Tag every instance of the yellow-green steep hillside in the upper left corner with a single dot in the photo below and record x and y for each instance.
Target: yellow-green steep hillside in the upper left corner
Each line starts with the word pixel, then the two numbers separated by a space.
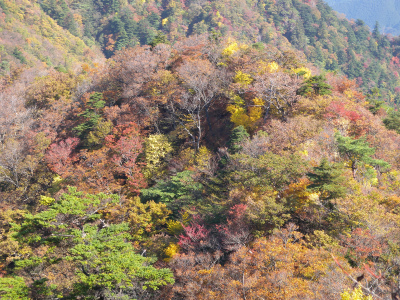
pixel 30 38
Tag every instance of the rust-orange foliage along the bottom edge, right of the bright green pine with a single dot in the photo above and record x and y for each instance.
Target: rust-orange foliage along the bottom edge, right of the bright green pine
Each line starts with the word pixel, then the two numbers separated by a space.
pixel 281 267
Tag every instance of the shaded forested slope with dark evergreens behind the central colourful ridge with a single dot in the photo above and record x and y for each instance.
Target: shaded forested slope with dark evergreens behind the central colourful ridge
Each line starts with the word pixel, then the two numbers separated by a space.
pixel 330 42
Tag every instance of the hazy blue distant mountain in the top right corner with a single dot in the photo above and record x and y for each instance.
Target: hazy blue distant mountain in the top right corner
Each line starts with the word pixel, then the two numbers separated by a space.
pixel 386 12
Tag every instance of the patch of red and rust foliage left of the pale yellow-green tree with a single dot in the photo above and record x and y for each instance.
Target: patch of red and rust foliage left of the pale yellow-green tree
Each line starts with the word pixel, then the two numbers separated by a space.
pixel 110 168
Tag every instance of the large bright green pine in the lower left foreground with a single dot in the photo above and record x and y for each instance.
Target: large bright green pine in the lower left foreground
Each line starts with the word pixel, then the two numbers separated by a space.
pixel 102 262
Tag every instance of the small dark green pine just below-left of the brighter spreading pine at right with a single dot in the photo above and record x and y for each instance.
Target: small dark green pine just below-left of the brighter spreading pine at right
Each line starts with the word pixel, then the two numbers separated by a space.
pixel 328 179
